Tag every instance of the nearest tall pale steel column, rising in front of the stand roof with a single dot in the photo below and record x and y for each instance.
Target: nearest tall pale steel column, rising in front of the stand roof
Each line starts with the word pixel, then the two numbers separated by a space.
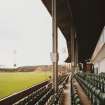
pixel 54 47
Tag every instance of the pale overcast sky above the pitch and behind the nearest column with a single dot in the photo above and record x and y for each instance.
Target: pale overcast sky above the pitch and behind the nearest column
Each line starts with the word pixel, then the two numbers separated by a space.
pixel 25 26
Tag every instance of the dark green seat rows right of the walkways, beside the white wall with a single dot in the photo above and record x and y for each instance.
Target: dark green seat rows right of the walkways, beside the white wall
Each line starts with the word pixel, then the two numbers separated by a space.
pixel 88 83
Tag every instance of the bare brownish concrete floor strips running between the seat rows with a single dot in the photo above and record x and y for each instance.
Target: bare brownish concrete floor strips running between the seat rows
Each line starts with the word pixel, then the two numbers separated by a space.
pixel 67 93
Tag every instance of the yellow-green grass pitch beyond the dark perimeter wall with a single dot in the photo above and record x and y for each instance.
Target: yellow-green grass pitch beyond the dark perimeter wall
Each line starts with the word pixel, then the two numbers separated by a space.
pixel 11 83
